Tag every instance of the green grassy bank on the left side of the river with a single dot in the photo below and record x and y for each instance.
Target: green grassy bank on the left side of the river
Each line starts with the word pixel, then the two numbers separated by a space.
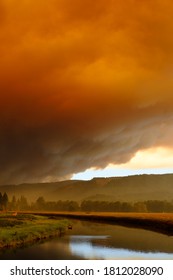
pixel 27 228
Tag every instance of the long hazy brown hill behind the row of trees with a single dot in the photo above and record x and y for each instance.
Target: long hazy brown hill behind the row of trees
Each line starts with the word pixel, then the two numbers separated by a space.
pixel 130 188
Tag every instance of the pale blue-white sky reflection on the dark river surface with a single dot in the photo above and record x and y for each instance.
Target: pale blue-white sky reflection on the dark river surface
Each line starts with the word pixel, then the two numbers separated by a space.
pixel 82 246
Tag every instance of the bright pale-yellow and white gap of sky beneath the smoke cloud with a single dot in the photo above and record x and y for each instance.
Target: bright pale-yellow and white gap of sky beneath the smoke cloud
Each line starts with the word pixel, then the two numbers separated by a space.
pixel 150 161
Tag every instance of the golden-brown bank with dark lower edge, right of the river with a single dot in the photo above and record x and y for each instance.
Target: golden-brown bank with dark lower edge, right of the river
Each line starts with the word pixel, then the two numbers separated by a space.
pixel 158 222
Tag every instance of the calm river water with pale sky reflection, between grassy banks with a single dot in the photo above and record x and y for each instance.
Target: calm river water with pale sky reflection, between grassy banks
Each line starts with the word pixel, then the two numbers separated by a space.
pixel 89 240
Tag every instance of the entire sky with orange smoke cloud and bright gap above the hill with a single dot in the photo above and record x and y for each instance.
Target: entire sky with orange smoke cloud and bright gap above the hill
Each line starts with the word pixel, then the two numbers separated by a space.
pixel 85 85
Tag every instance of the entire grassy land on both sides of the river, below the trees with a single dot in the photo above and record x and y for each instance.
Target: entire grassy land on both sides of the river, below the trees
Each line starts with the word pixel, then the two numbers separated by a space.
pixel 20 229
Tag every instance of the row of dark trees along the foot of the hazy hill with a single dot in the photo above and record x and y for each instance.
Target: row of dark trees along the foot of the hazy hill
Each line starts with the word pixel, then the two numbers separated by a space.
pixel 21 204
